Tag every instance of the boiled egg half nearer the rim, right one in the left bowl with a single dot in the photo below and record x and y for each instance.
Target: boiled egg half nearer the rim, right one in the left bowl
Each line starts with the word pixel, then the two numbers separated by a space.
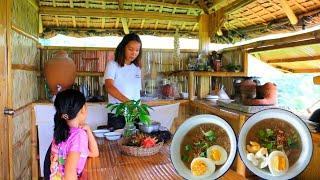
pixel 217 154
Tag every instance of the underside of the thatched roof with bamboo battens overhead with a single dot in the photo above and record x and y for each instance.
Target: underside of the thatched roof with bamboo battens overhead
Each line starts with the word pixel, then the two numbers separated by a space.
pixel 233 20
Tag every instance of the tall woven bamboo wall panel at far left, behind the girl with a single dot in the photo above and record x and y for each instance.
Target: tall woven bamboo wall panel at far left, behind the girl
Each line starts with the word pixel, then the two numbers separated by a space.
pixel 24 59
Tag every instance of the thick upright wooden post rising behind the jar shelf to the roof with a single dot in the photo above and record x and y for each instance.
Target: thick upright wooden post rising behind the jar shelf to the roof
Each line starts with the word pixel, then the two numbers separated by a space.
pixel 204 40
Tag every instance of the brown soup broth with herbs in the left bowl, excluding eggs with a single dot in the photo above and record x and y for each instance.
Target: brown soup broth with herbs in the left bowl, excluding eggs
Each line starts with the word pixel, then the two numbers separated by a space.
pixel 195 143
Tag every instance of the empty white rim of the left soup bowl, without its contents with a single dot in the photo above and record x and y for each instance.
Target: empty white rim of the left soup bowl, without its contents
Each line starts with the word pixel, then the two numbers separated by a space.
pixel 185 128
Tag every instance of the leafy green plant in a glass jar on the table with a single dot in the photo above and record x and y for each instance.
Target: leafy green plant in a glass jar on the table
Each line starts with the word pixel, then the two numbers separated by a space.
pixel 131 110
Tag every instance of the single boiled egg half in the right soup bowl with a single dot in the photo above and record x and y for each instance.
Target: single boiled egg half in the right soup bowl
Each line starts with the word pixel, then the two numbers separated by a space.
pixel 278 163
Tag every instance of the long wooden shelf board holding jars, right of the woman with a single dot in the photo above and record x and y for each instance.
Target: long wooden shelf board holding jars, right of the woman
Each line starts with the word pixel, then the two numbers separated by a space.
pixel 205 73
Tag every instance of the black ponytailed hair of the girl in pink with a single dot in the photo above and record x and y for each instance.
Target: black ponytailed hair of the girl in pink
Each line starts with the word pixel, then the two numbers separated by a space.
pixel 67 103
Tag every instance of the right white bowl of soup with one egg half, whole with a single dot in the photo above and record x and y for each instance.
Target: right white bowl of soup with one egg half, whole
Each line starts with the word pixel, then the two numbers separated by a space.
pixel 270 144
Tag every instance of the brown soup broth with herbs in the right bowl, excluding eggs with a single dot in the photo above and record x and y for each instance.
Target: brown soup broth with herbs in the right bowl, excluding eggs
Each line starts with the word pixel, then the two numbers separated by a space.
pixel 276 134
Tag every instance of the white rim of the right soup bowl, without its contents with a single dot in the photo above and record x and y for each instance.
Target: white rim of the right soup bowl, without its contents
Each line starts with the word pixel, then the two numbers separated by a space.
pixel 296 122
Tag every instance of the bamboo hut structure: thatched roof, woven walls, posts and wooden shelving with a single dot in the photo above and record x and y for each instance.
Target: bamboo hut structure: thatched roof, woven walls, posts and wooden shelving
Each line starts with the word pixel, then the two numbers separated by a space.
pixel 22 57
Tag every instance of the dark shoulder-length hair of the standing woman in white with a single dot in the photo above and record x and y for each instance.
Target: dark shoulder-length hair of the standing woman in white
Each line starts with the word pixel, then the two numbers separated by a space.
pixel 120 50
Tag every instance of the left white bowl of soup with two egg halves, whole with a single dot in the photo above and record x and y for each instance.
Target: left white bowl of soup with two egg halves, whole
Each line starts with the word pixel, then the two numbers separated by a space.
pixel 203 147
